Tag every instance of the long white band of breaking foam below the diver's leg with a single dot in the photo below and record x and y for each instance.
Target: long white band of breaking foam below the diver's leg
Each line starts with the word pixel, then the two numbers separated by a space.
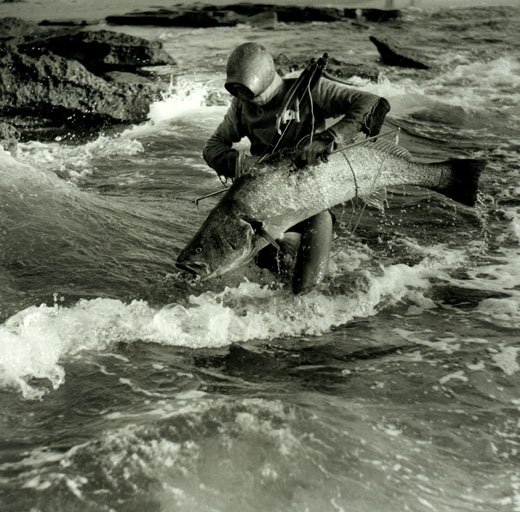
pixel 35 342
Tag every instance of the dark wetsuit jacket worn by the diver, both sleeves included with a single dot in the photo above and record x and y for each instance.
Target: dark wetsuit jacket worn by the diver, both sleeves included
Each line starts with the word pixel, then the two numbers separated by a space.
pixel 360 111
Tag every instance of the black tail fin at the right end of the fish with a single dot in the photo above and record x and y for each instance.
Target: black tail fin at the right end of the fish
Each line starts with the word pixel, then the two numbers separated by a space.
pixel 465 177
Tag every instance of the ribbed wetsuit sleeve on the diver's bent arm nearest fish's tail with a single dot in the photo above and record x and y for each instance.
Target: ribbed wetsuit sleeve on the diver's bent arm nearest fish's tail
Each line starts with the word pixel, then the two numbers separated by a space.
pixel 362 111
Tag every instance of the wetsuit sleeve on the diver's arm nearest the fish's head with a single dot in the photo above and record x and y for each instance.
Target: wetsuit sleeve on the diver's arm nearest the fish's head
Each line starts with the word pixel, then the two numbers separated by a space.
pixel 218 152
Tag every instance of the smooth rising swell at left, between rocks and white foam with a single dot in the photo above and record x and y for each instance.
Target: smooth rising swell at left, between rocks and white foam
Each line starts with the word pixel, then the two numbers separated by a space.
pixel 56 236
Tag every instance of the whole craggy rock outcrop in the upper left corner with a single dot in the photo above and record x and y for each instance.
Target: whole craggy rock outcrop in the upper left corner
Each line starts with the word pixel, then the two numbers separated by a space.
pixel 72 83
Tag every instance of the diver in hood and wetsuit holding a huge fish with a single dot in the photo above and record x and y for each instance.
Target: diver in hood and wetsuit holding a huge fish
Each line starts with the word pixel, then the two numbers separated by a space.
pixel 259 94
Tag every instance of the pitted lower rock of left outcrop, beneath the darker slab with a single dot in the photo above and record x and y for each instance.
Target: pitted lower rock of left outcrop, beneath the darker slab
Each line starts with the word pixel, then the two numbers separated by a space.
pixel 44 94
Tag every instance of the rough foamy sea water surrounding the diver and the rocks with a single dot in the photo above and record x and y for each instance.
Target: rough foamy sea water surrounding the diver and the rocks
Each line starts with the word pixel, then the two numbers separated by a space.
pixel 394 386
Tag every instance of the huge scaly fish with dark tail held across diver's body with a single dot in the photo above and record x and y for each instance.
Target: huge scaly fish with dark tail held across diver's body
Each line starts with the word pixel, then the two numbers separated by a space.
pixel 261 206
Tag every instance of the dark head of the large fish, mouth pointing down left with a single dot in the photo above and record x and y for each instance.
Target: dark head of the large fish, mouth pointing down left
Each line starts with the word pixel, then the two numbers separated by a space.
pixel 224 242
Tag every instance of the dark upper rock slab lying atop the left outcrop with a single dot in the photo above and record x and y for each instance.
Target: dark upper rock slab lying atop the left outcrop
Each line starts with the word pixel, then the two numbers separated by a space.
pixel 101 51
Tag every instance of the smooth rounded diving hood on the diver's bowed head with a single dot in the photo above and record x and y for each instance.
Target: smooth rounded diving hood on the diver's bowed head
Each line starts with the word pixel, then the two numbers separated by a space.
pixel 250 71
